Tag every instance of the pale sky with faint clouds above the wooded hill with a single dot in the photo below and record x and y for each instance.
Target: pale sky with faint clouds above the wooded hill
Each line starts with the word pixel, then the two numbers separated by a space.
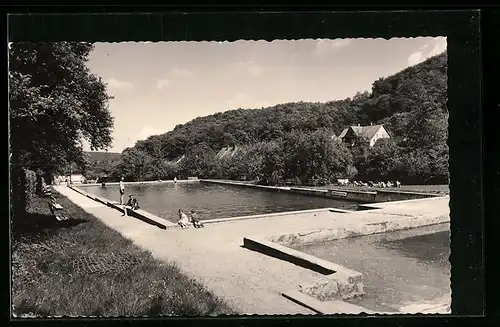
pixel 157 86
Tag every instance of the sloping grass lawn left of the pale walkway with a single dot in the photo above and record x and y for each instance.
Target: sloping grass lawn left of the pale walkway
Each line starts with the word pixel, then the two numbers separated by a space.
pixel 88 269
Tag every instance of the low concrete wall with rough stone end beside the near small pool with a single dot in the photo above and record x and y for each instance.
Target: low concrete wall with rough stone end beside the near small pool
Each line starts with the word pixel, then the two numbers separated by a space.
pixel 338 282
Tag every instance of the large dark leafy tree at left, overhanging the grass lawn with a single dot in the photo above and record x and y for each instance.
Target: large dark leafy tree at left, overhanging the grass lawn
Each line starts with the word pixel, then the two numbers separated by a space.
pixel 55 103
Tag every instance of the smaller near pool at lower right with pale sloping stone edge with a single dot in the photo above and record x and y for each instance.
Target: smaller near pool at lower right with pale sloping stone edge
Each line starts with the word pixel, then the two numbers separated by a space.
pixel 399 268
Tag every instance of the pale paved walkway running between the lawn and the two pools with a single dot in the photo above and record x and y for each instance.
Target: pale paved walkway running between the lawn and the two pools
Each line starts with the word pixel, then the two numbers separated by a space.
pixel 250 282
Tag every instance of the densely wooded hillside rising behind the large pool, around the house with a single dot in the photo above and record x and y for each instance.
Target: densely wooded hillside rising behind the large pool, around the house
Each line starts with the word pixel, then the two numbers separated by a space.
pixel 411 104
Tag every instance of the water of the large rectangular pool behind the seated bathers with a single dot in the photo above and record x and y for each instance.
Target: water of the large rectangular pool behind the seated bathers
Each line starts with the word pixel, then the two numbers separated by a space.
pixel 215 200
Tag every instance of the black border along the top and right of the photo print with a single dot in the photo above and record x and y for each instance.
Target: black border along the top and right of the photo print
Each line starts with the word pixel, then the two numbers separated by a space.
pixel 462 29
